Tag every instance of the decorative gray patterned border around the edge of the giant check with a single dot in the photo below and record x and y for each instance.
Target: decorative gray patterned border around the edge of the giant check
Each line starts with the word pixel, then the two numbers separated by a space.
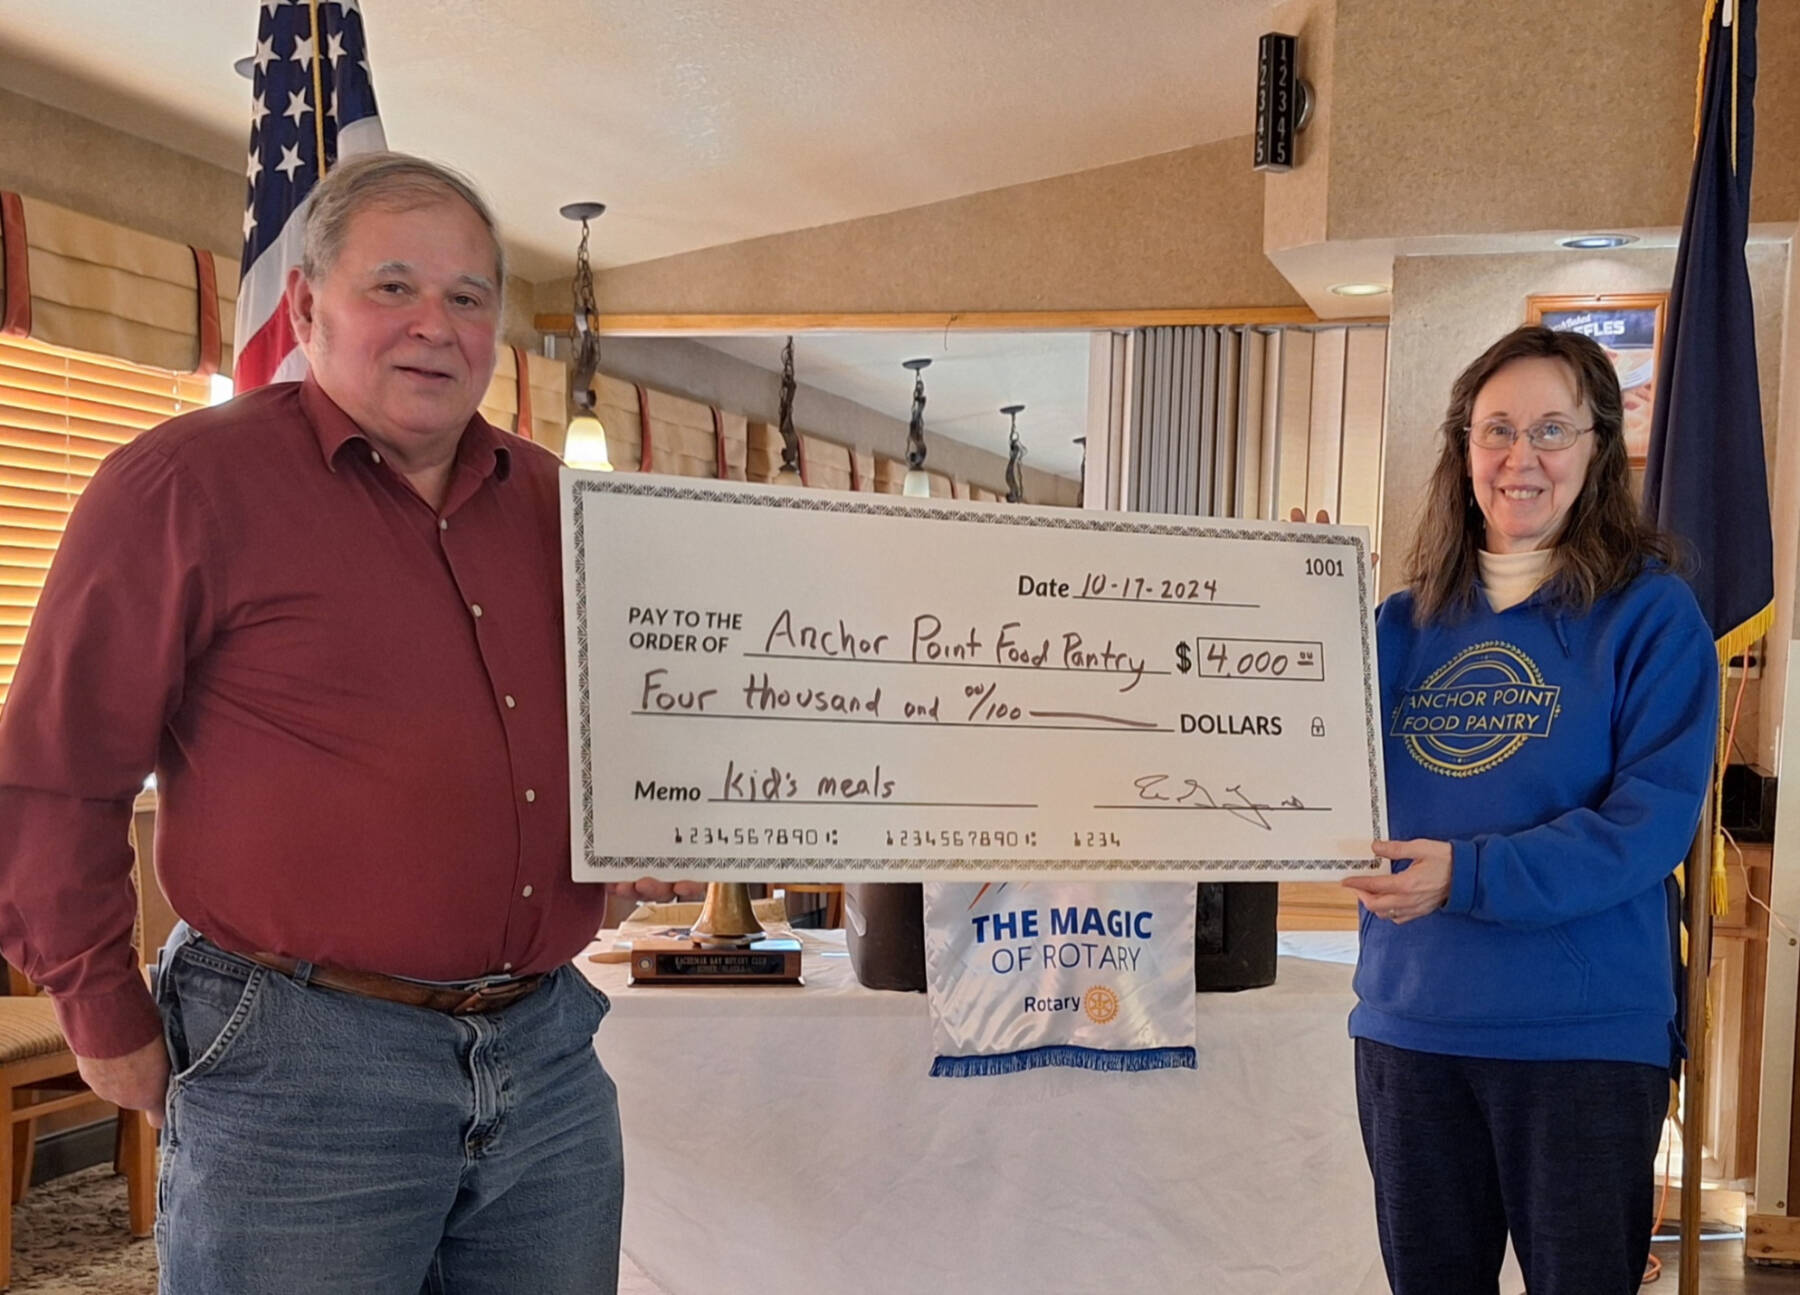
pixel 1072 520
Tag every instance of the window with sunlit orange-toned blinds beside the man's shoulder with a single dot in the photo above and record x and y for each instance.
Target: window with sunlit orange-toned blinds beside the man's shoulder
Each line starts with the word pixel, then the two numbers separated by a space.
pixel 60 415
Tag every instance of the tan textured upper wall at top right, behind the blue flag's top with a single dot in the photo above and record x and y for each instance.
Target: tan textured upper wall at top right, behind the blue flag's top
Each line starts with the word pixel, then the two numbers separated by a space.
pixel 1486 116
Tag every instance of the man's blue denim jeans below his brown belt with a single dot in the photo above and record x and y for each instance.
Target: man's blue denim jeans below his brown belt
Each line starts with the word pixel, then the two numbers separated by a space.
pixel 328 1145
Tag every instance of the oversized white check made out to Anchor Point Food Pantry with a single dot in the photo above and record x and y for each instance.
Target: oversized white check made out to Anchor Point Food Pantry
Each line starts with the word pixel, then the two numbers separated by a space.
pixel 847 687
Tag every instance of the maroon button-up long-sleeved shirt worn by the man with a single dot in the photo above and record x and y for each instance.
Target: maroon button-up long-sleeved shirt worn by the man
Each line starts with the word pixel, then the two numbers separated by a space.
pixel 354 707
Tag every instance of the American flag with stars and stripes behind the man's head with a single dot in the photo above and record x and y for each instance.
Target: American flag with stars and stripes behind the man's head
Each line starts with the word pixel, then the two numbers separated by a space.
pixel 296 73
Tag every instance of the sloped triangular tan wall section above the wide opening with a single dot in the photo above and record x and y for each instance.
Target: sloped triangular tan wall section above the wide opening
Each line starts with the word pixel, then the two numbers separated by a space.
pixel 1178 230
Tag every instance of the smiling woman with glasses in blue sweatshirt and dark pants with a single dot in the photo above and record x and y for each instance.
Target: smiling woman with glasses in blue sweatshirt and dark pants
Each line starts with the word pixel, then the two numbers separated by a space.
pixel 1551 693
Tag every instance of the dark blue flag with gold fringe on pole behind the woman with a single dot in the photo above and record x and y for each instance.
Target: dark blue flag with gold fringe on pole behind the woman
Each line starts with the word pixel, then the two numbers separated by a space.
pixel 1705 476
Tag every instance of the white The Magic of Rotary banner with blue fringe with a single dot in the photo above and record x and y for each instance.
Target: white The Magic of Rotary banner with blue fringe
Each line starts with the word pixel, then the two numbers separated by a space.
pixel 1027 975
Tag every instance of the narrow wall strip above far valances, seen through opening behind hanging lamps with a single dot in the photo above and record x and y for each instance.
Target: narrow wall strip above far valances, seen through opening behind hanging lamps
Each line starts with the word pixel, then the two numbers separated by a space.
pixel 687 368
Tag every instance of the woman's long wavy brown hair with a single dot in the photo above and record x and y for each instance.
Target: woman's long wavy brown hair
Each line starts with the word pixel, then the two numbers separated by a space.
pixel 1606 539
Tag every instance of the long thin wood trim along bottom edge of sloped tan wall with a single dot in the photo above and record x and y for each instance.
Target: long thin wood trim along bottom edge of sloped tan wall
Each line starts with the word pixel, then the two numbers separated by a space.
pixel 991 321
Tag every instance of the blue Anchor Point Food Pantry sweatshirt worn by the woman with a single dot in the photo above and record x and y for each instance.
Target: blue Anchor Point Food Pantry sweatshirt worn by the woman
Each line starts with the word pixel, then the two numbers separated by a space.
pixel 1567 761
